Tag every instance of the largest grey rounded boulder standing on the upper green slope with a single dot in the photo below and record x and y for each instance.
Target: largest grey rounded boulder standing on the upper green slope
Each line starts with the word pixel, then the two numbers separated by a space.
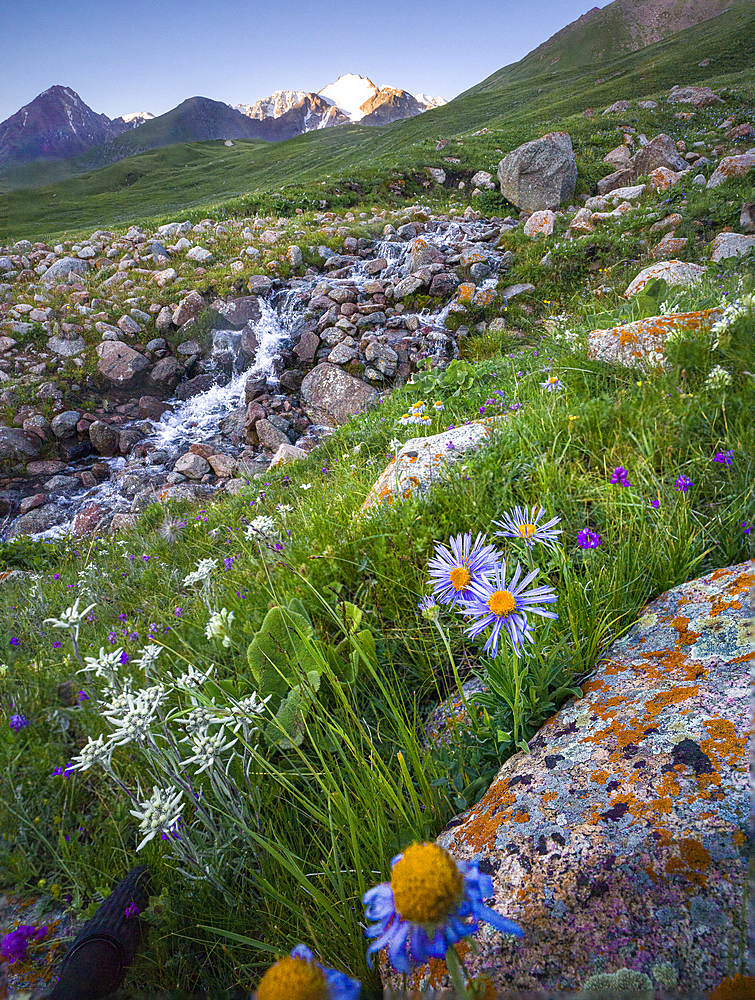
pixel 540 174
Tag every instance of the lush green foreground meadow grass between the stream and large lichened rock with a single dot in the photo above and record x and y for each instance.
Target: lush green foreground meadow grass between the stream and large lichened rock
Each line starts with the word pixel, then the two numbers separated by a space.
pixel 319 818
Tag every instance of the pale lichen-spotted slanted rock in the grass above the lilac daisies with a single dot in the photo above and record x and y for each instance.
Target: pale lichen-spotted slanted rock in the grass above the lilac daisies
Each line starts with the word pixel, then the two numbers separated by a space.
pixel 422 462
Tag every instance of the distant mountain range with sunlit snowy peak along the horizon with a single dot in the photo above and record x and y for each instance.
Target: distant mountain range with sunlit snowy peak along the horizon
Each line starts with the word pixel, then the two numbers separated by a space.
pixel 58 124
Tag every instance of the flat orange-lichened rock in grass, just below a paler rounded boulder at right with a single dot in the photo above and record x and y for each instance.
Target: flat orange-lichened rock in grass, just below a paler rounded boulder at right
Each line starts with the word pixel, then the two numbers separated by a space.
pixel 643 343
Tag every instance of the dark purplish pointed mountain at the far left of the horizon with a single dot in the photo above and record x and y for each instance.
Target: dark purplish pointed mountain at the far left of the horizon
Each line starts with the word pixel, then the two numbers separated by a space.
pixel 56 124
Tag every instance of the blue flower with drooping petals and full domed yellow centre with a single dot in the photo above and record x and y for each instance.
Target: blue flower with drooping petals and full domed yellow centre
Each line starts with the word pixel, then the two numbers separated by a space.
pixel 422 912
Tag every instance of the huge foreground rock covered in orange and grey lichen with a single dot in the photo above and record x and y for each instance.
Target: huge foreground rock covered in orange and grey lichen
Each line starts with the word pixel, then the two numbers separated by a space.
pixel 632 800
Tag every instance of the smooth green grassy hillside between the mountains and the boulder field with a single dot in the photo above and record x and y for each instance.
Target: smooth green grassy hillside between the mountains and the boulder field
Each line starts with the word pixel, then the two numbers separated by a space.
pixel 515 104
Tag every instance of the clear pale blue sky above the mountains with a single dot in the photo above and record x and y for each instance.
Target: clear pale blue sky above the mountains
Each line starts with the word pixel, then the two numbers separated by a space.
pixel 123 56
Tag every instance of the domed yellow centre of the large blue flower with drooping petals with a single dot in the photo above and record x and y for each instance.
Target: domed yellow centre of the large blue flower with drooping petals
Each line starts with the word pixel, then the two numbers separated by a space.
pixel 427 884
